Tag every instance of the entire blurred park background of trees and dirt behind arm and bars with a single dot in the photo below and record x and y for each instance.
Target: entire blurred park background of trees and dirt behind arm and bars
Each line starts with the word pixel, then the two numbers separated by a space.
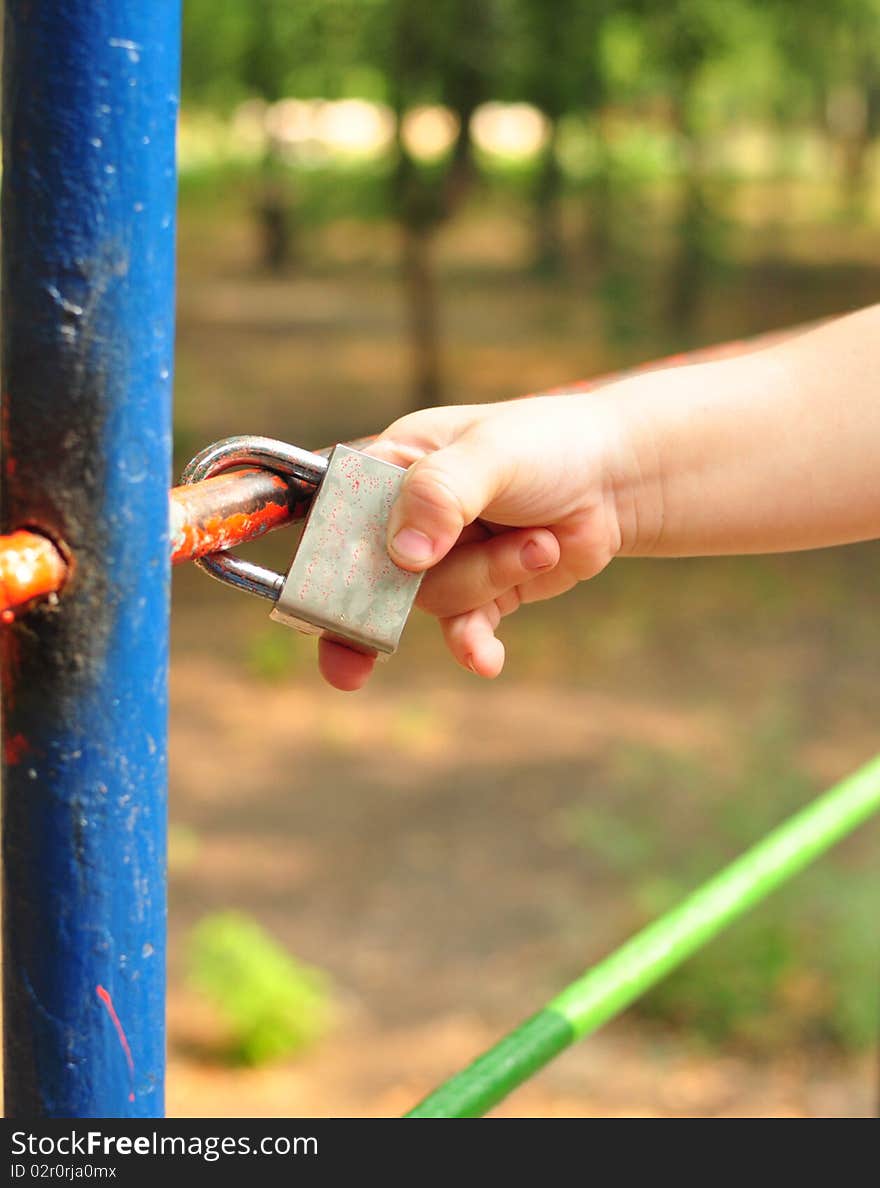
pixel 390 204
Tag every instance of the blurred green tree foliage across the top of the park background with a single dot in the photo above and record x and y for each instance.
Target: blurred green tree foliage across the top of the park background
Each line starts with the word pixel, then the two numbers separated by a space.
pixel 664 84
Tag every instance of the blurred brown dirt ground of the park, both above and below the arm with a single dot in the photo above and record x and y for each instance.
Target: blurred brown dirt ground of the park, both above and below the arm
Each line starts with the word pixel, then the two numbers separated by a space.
pixel 411 841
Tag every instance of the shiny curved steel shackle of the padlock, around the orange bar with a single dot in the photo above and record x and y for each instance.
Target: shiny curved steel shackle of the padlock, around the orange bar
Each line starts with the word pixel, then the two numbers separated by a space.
pixel 271 456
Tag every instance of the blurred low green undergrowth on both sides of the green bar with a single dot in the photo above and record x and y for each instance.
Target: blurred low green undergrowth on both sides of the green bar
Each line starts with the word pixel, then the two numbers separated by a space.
pixel 805 965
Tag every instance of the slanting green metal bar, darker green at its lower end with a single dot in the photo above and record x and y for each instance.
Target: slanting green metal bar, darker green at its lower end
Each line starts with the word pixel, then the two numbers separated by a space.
pixel 611 987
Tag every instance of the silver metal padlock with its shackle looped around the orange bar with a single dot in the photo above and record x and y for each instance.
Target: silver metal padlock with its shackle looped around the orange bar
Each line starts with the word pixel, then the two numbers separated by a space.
pixel 341 584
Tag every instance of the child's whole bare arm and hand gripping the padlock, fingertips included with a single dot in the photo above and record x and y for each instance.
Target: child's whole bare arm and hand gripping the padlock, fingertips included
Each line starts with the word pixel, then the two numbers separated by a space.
pixel 507 504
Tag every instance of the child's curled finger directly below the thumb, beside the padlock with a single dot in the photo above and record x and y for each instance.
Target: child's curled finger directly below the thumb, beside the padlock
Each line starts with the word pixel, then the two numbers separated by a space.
pixel 478 573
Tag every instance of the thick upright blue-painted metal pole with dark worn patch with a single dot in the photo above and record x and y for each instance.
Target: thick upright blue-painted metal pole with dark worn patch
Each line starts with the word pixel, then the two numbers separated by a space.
pixel 91 94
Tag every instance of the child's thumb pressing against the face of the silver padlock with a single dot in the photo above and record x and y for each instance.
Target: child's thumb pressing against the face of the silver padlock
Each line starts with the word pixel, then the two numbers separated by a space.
pixel 442 494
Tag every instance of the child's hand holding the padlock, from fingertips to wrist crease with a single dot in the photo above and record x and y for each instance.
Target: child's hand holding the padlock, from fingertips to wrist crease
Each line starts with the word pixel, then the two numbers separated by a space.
pixel 504 504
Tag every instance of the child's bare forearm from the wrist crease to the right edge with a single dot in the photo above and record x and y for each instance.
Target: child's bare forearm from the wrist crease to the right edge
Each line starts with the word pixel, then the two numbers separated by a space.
pixel 770 452
